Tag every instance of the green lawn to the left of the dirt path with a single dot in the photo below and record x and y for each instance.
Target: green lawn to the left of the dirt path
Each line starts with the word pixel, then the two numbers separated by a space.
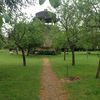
pixel 16 81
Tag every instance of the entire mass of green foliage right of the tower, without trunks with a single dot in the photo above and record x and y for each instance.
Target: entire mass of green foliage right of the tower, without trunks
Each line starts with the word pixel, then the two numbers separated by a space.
pixel 80 21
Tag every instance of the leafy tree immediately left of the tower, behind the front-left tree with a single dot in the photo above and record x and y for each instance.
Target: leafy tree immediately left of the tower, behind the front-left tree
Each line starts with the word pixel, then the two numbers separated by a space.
pixel 35 36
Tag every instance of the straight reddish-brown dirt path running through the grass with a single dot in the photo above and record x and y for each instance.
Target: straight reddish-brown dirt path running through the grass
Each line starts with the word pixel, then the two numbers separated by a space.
pixel 51 87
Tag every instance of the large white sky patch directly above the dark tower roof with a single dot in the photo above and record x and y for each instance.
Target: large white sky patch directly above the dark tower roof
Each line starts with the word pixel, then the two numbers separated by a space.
pixel 31 10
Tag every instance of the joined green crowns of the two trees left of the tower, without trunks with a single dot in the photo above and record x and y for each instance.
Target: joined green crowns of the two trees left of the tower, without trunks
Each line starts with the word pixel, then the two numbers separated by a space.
pixel 28 35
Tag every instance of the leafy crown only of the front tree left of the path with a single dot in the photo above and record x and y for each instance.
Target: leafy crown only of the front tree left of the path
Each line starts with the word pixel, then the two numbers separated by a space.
pixel 19 34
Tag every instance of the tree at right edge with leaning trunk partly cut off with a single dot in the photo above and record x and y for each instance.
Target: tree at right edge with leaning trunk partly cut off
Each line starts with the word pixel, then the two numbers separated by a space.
pixel 90 15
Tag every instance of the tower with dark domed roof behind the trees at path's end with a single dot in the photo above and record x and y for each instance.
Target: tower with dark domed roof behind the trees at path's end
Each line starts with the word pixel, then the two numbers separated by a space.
pixel 47 17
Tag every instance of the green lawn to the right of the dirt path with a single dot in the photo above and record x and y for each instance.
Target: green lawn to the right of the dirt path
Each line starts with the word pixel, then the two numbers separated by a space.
pixel 87 88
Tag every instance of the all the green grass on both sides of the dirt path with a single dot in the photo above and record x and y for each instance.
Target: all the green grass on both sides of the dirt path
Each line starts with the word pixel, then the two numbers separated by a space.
pixel 23 83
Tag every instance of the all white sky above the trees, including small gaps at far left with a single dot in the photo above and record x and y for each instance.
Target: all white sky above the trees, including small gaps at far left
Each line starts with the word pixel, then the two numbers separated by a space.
pixel 31 10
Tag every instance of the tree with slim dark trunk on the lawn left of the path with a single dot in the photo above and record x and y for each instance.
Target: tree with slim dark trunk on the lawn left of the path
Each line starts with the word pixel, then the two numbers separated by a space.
pixel 19 37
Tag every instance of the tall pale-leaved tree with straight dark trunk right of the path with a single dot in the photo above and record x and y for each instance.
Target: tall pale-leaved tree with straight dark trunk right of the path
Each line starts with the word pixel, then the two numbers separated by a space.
pixel 70 23
